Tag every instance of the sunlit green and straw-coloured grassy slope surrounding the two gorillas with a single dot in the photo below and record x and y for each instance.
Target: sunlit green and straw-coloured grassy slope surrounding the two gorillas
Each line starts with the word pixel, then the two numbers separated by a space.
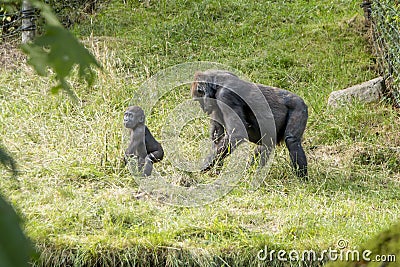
pixel 81 206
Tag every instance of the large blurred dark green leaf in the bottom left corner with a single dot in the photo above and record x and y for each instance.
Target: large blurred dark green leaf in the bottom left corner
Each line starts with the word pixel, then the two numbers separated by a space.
pixel 15 248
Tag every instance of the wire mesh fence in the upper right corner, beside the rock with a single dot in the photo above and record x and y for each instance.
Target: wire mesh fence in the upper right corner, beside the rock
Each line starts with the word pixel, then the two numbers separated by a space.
pixel 384 18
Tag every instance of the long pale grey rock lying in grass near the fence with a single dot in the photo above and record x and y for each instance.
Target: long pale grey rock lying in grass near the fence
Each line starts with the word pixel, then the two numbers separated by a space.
pixel 370 91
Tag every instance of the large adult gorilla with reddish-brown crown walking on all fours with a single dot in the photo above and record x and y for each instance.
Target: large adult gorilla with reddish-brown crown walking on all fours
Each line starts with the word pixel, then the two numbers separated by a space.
pixel 221 93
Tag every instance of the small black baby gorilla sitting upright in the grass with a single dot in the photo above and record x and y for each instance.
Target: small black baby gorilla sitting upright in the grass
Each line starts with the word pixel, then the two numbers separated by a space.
pixel 142 143
